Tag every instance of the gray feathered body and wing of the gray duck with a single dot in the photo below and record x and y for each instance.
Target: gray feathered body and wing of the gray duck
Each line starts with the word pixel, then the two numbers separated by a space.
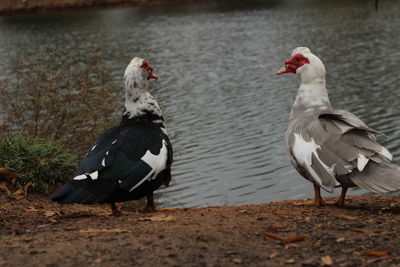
pixel 332 144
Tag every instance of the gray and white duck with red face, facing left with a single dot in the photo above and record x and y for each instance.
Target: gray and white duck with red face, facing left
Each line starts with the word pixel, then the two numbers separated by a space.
pixel 330 147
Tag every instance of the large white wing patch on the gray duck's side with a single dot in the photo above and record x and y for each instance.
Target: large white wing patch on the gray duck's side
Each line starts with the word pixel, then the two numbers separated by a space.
pixel 303 151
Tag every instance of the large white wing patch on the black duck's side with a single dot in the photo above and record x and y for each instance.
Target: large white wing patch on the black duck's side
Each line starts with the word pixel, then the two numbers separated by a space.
pixel 156 162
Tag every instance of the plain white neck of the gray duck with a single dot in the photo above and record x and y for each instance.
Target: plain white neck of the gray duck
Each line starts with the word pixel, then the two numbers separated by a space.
pixel 312 95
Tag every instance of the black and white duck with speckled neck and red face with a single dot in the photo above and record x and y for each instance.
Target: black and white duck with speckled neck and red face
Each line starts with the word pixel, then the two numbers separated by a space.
pixel 129 161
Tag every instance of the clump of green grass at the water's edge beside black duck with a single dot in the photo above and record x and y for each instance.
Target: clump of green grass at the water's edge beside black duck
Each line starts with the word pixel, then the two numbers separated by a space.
pixel 42 162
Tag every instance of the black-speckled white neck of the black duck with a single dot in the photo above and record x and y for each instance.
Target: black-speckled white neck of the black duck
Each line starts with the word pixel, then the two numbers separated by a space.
pixel 140 106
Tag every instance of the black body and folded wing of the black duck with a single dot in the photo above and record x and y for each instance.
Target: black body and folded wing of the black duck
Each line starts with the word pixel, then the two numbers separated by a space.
pixel 126 162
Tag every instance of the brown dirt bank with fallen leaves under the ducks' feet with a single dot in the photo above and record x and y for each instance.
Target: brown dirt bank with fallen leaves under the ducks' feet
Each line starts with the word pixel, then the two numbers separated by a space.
pixel 37 232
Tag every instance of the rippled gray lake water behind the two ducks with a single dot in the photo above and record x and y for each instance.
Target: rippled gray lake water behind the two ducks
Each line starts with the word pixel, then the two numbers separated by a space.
pixel 226 109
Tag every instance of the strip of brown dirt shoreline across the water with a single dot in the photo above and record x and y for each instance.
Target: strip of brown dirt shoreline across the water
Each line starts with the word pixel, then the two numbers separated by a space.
pixel 16 7
